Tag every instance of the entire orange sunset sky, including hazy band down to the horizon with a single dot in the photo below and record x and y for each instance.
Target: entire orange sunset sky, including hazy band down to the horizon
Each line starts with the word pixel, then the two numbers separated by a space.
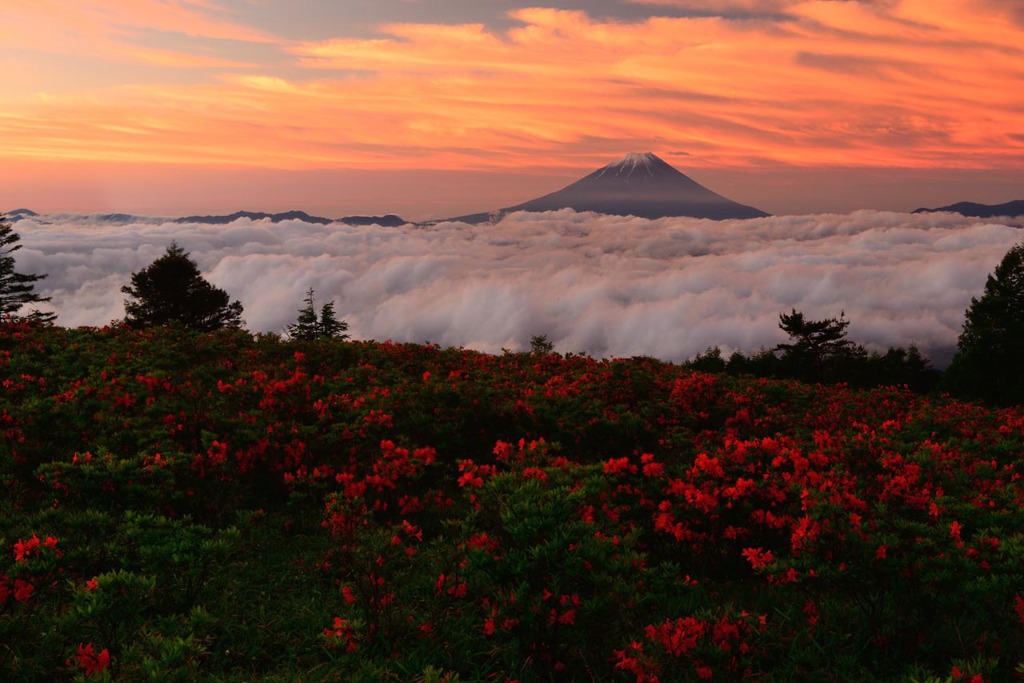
pixel 435 108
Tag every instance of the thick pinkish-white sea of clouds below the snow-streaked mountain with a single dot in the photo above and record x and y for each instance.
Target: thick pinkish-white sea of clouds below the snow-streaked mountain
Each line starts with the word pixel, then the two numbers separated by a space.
pixel 606 285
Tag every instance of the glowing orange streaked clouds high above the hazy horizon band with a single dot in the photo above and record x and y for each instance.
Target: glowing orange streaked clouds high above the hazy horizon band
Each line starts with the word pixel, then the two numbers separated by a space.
pixel 821 83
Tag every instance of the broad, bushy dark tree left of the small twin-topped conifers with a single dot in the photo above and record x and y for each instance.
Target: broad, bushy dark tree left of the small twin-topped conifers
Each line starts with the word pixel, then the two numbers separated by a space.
pixel 173 290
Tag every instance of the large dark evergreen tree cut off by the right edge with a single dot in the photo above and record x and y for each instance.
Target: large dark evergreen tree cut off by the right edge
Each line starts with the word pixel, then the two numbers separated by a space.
pixel 990 360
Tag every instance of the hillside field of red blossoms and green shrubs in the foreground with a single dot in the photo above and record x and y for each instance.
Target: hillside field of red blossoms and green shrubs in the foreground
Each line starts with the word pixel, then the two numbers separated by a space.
pixel 233 507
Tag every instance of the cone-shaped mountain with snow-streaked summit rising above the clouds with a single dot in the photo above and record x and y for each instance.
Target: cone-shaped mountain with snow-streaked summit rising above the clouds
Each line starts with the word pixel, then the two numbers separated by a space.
pixel 639 185
